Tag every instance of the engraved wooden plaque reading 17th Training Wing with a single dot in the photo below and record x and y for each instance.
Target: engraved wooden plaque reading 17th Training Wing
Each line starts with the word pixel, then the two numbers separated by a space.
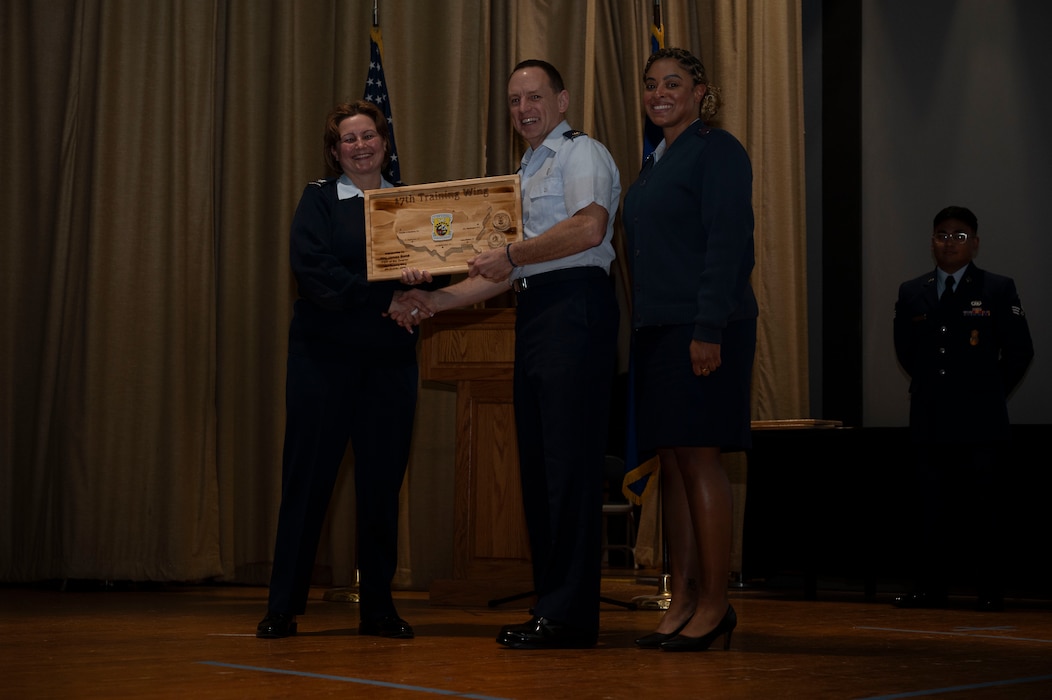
pixel 440 227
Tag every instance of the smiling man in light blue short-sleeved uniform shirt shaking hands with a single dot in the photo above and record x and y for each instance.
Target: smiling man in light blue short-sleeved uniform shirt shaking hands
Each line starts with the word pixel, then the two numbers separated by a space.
pixel 567 328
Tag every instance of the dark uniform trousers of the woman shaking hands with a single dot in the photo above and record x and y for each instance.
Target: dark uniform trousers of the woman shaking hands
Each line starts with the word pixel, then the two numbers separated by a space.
pixel 370 401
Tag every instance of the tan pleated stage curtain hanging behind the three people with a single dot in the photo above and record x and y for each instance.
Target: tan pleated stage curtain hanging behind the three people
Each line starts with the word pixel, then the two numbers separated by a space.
pixel 154 155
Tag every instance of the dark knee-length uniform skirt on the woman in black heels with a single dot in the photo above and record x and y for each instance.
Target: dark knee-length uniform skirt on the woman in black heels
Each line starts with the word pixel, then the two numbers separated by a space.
pixel 677 409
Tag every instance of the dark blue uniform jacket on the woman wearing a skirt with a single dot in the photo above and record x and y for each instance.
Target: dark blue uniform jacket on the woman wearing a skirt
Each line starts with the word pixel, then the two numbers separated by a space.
pixel 693 254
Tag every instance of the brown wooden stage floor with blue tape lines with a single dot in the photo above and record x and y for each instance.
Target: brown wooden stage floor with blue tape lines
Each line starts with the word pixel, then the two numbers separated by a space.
pixel 198 642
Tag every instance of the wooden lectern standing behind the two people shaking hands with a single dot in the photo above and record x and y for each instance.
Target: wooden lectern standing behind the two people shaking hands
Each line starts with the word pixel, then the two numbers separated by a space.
pixel 474 350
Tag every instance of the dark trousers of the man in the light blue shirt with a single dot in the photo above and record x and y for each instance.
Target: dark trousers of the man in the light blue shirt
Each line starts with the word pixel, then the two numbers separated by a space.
pixel 567 334
